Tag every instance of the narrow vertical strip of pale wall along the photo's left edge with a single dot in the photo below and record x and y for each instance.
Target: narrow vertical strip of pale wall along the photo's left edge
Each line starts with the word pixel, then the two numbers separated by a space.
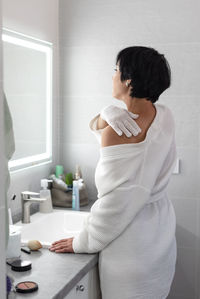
pixel 2 179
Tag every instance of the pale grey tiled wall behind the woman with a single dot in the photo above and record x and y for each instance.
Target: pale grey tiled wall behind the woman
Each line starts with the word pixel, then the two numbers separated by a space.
pixel 91 34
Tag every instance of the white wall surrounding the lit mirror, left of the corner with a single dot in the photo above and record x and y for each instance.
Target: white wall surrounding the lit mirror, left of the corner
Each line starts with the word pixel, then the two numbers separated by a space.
pixel 40 20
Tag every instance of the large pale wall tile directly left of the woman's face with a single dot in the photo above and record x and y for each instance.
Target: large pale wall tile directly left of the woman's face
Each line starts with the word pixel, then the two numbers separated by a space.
pixel 87 70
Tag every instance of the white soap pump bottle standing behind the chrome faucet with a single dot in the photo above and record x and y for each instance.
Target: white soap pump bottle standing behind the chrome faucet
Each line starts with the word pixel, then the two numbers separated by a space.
pixel 46 206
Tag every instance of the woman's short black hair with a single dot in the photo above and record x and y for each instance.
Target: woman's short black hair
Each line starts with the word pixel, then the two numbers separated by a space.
pixel 148 70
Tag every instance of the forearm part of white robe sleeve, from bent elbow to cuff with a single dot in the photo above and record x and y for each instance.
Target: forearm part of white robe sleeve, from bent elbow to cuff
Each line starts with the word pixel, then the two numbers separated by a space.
pixel 109 217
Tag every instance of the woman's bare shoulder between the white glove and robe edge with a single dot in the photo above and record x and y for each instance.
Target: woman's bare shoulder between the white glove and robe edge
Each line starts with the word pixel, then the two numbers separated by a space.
pixel 110 137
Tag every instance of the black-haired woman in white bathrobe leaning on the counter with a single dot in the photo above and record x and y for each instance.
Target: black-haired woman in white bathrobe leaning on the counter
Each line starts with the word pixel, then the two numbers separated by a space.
pixel 132 224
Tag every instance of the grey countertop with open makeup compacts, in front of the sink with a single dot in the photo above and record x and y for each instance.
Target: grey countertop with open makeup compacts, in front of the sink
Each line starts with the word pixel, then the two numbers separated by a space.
pixel 55 273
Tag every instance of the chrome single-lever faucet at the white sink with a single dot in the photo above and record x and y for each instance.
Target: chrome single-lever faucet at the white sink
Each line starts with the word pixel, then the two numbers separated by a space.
pixel 27 200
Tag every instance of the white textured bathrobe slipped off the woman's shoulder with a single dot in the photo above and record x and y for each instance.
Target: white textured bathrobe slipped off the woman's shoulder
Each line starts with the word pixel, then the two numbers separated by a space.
pixel 132 224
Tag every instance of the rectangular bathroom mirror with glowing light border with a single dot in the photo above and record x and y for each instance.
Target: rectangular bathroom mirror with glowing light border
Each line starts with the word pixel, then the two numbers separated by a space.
pixel 27 65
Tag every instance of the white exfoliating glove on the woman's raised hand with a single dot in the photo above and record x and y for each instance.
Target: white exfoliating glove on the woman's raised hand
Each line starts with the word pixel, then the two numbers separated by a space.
pixel 121 120
